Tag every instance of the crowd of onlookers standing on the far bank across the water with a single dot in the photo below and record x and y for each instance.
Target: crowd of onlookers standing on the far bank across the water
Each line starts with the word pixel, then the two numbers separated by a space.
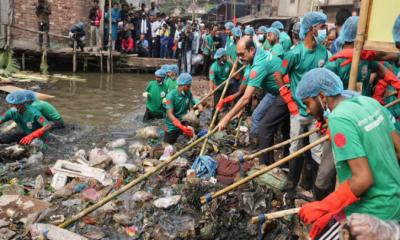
pixel 151 33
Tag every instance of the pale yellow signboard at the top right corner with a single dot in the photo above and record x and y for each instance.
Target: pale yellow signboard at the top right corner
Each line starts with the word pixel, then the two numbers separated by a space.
pixel 381 18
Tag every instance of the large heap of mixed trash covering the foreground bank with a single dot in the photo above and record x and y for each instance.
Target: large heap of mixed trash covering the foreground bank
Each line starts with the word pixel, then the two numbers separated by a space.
pixel 165 206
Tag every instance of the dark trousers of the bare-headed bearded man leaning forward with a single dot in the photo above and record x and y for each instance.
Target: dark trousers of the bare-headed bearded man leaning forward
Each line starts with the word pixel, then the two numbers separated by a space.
pixel 276 115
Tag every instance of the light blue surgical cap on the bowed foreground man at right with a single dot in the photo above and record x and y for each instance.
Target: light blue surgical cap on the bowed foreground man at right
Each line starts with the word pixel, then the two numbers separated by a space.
pixel 319 80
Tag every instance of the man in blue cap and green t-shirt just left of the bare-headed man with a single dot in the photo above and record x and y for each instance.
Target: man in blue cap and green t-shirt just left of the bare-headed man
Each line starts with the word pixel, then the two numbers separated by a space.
pixel 219 72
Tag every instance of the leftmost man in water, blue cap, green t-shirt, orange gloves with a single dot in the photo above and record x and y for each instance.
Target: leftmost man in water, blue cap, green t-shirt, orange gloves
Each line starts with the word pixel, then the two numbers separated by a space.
pixel 30 121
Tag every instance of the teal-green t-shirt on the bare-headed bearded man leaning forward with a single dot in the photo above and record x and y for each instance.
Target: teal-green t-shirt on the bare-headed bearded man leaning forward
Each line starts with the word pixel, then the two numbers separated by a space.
pixel 260 74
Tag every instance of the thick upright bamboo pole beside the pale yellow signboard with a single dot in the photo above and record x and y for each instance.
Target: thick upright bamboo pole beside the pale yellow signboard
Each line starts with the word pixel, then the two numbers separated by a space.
pixel 361 30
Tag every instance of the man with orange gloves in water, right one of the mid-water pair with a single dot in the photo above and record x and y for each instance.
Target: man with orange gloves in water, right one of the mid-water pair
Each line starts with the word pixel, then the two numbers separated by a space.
pixel 178 102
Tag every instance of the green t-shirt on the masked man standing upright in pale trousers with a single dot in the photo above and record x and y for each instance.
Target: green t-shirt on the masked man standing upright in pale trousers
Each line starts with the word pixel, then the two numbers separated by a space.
pixel 300 60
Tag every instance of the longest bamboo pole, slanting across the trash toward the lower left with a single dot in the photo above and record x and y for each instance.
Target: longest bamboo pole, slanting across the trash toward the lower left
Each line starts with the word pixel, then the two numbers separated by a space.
pixel 134 182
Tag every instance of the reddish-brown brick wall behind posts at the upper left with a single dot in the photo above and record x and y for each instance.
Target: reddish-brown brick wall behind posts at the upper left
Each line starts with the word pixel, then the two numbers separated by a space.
pixel 64 15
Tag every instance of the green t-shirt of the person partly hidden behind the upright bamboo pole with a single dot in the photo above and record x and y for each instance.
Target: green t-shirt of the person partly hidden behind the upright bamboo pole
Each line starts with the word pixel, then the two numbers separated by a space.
pixel 365 69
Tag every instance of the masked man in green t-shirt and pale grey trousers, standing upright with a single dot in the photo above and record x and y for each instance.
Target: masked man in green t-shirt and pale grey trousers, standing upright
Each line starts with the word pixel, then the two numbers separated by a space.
pixel 307 55
